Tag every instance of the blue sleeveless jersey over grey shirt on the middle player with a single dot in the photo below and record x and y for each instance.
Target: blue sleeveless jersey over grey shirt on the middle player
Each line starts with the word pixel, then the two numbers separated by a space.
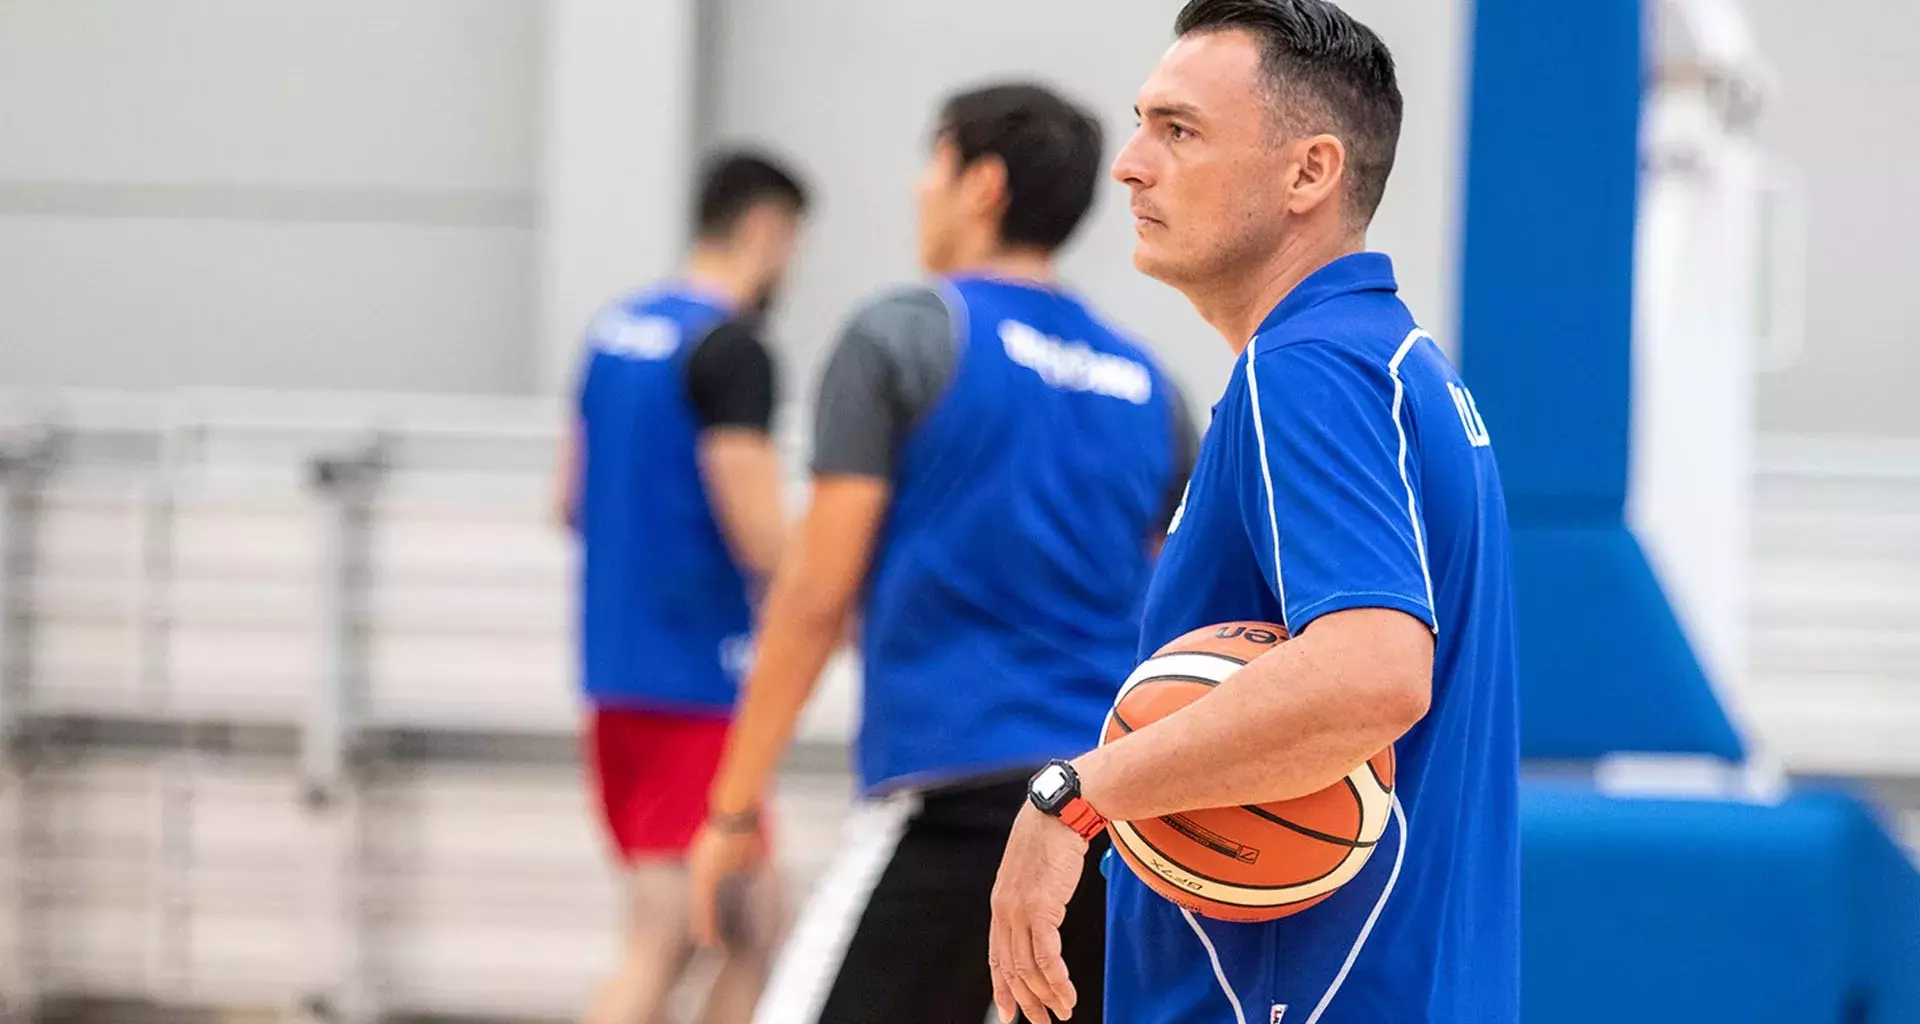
pixel 1005 597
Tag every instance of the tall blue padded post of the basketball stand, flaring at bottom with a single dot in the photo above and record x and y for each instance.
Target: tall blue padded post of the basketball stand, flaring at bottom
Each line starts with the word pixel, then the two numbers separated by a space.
pixel 1547 333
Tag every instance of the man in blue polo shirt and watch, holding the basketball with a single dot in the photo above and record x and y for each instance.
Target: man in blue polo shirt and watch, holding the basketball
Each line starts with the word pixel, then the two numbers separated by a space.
pixel 1347 489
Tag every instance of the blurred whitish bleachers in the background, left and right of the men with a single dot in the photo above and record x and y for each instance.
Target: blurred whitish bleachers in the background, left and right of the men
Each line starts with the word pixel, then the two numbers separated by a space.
pixel 289 708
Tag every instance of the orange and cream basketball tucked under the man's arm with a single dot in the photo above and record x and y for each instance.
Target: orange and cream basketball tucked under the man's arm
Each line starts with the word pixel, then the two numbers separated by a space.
pixel 1260 862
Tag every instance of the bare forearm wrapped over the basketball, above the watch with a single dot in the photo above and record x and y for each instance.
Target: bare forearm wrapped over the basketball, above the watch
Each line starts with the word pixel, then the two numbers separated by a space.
pixel 1291 723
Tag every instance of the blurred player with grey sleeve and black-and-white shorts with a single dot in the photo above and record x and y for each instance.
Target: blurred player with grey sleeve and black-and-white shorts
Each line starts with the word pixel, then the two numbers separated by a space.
pixel 994 468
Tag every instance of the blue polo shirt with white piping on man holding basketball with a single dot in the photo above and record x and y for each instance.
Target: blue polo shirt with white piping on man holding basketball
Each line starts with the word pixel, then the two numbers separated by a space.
pixel 1349 468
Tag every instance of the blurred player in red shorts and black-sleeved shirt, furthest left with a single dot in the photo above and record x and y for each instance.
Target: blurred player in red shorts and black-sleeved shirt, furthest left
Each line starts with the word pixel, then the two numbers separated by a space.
pixel 673 485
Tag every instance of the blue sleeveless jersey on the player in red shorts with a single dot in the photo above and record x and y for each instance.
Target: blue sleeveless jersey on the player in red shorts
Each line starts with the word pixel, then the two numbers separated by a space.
pixel 663 606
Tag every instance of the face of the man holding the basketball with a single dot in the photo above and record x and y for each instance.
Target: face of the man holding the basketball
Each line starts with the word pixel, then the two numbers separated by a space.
pixel 1203 166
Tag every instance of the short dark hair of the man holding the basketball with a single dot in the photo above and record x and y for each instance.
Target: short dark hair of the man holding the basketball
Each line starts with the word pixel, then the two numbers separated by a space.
pixel 1328 72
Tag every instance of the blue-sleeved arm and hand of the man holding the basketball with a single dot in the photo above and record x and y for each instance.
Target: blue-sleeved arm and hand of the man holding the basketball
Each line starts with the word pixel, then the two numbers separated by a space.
pixel 1332 510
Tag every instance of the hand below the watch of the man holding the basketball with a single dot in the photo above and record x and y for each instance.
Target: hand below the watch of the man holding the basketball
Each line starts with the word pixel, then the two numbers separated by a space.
pixel 1030 900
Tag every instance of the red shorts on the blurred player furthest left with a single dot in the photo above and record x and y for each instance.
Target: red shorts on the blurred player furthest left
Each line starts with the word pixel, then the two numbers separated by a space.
pixel 654 771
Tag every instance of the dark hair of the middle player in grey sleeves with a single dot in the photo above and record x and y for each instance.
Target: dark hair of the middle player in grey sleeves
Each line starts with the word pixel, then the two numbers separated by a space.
pixel 1051 151
